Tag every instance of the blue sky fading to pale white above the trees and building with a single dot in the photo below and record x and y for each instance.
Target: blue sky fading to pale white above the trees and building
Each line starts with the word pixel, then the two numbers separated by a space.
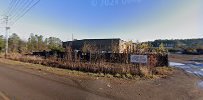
pixel 142 20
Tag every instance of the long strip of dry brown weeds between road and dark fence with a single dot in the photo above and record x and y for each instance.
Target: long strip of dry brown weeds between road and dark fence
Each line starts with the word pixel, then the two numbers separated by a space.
pixel 126 71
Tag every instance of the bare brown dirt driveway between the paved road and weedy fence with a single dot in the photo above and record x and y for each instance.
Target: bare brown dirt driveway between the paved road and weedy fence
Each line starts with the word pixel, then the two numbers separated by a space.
pixel 179 86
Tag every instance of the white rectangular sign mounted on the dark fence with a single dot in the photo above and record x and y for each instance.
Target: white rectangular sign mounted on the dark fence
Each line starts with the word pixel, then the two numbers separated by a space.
pixel 138 58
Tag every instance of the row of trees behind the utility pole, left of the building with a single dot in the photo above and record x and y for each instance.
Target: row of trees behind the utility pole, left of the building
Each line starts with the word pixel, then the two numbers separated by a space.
pixel 35 43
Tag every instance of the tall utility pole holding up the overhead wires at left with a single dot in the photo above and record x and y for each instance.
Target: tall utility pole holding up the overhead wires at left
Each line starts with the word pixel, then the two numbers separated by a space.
pixel 7 29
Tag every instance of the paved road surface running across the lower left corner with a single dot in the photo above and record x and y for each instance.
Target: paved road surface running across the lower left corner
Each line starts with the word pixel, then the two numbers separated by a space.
pixel 18 84
